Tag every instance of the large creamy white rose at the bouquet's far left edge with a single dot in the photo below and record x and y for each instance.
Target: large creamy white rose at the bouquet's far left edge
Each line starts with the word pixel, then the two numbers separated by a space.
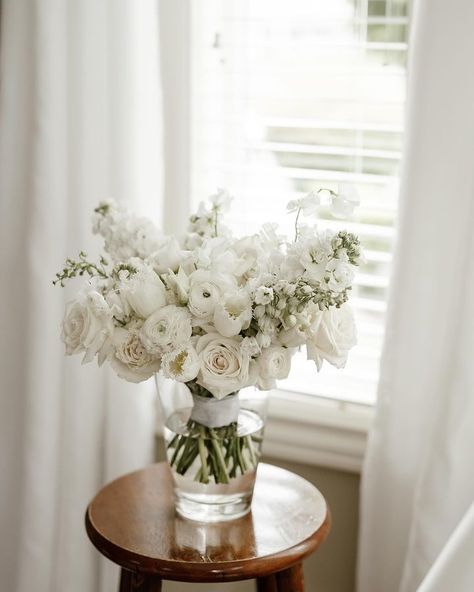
pixel 87 326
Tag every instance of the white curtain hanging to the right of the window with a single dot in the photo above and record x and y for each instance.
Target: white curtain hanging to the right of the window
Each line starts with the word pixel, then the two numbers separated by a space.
pixel 418 479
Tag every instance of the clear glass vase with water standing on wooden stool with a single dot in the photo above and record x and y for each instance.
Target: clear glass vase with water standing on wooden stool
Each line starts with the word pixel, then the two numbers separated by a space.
pixel 213 448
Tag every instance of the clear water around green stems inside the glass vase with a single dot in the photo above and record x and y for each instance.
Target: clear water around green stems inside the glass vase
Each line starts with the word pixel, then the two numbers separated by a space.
pixel 214 469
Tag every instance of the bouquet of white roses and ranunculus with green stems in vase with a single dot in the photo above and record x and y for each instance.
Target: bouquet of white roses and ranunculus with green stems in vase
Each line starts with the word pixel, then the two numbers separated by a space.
pixel 213 311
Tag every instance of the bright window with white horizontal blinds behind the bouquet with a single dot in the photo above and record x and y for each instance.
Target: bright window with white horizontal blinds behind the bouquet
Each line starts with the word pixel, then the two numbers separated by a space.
pixel 291 96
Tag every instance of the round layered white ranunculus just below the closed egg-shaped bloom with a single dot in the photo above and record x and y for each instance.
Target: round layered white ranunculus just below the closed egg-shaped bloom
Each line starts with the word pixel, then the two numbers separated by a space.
pixel 166 328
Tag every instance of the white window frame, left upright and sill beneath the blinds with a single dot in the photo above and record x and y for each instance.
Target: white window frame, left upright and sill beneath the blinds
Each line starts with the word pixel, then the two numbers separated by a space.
pixel 309 429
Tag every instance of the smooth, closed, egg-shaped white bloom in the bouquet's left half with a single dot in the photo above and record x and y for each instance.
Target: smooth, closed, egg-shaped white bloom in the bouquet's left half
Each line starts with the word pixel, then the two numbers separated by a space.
pixel 144 291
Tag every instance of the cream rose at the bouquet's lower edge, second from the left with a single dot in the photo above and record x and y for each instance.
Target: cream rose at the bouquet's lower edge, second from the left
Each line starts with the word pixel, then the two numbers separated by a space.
pixel 131 360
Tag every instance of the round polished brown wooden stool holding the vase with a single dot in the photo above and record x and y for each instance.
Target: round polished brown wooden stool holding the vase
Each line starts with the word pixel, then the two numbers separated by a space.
pixel 133 522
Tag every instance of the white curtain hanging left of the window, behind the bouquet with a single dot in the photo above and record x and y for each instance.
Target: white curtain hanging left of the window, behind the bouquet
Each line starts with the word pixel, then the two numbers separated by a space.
pixel 79 122
